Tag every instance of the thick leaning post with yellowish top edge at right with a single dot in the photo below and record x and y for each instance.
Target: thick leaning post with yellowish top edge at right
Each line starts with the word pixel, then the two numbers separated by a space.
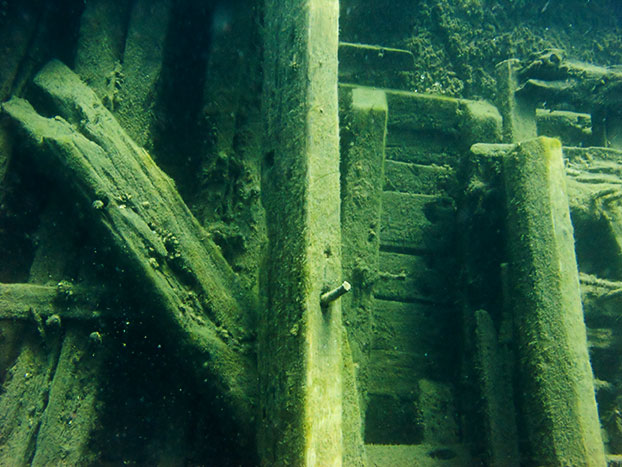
pixel 560 414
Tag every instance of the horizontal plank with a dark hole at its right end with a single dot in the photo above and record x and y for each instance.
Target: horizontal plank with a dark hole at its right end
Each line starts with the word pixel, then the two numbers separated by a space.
pixel 416 223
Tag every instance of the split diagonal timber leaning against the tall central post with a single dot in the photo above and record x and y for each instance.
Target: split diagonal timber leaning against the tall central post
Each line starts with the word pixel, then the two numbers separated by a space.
pixel 196 297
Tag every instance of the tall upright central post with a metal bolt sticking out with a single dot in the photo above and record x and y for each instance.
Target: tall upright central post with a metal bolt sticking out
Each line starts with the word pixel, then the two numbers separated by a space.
pixel 300 351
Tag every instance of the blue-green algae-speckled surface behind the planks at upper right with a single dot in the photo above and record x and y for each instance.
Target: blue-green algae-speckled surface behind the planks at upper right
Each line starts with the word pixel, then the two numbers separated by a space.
pixel 456 44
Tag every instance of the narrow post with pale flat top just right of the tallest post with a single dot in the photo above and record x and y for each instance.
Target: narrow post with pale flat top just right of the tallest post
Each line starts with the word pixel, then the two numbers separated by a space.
pixel 363 137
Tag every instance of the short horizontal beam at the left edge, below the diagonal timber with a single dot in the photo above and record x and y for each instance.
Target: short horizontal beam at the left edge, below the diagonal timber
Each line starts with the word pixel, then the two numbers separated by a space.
pixel 28 301
